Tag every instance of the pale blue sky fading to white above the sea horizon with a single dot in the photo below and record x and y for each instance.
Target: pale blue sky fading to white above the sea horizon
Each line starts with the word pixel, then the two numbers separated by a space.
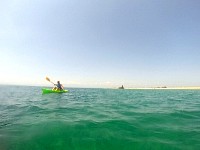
pixel 100 43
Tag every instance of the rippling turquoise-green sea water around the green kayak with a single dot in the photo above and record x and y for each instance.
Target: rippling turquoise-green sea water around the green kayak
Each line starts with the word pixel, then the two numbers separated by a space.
pixel 99 119
